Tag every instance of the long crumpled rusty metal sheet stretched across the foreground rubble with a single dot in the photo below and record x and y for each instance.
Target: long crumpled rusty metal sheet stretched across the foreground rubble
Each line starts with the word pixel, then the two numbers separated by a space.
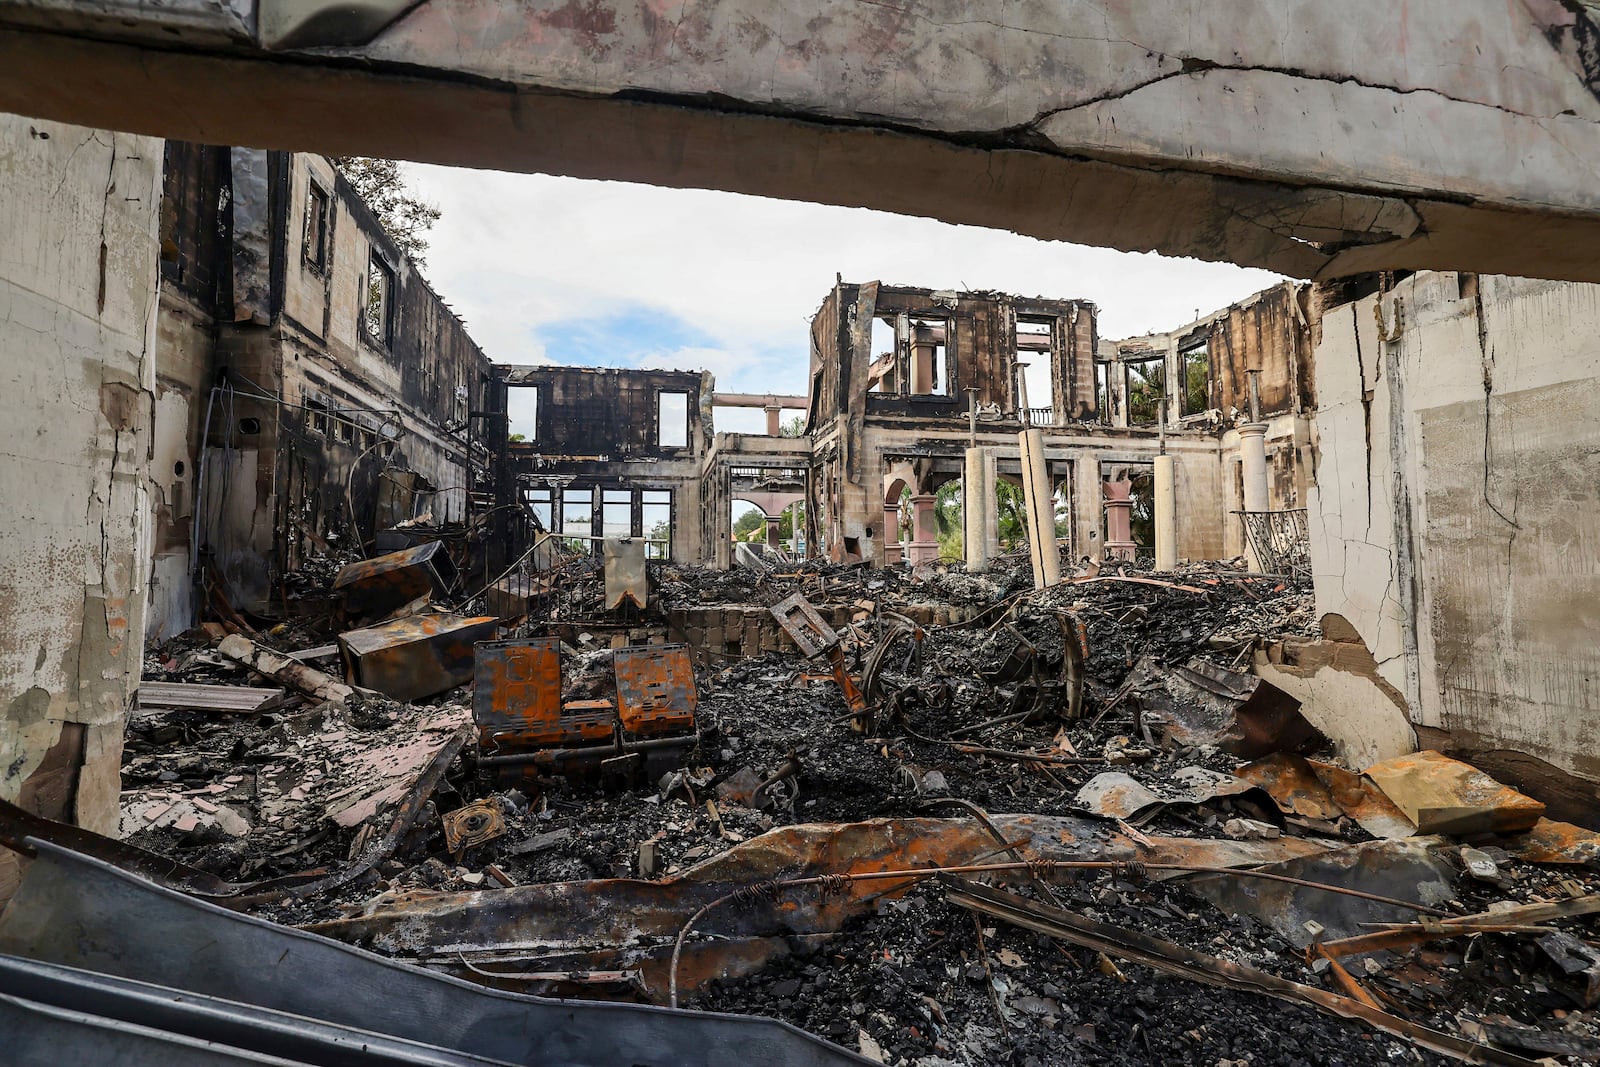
pixel 625 924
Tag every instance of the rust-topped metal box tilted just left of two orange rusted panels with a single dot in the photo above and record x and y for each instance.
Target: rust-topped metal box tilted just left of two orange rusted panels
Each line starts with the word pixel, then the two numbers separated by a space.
pixel 415 658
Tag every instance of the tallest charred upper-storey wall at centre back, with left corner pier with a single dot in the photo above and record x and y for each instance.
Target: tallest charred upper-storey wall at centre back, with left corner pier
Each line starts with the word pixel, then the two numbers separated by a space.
pixel 897 366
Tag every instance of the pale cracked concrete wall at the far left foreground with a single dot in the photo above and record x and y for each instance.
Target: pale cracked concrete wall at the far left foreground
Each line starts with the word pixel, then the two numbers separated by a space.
pixel 78 314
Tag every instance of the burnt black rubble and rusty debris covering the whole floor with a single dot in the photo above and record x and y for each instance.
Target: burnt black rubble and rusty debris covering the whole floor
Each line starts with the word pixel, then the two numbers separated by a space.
pixel 924 815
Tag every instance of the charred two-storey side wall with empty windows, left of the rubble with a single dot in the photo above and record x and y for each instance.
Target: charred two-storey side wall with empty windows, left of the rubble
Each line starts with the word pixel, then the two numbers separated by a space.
pixel 321 385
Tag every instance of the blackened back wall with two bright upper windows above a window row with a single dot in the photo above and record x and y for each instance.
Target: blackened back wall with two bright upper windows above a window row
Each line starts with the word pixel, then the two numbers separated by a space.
pixel 610 452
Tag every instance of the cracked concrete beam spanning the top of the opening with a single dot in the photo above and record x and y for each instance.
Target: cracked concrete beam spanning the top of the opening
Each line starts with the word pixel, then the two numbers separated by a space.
pixel 1294 135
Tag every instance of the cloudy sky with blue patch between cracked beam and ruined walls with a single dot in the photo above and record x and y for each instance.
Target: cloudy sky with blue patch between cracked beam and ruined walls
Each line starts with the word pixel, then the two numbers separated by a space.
pixel 609 274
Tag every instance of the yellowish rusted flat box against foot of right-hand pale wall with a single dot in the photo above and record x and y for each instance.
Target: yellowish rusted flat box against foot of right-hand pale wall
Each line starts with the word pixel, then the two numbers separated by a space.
pixel 1444 796
